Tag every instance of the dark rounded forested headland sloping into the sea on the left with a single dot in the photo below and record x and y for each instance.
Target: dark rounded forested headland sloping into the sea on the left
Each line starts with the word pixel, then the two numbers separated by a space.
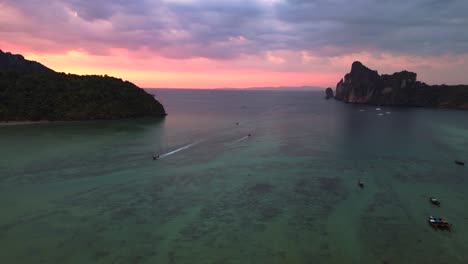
pixel 29 91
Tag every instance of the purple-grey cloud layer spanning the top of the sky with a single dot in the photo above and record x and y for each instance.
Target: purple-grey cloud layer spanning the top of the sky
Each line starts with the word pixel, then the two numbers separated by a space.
pixel 227 29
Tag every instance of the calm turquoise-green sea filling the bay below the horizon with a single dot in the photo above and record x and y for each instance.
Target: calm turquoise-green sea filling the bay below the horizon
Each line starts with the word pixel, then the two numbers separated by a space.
pixel 89 192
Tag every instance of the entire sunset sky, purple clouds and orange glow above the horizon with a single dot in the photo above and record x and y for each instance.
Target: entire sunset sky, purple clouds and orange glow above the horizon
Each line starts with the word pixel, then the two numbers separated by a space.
pixel 240 43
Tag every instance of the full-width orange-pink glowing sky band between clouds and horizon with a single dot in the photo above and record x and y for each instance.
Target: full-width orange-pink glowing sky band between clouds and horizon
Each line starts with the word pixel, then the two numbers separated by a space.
pixel 282 68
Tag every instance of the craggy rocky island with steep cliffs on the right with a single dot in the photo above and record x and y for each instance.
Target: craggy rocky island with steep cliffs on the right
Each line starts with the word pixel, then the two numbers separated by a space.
pixel 365 86
